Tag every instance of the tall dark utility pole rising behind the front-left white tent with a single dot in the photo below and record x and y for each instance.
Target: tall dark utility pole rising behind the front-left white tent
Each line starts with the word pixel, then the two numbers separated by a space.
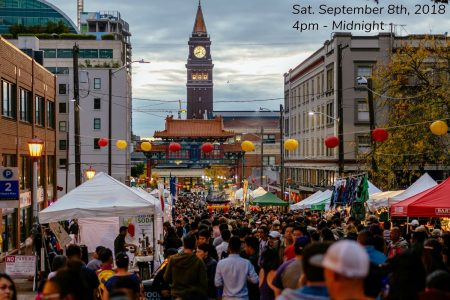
pixel 76 106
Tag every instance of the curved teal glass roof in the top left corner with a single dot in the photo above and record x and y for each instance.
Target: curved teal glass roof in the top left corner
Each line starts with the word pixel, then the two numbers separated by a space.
pixel 31 13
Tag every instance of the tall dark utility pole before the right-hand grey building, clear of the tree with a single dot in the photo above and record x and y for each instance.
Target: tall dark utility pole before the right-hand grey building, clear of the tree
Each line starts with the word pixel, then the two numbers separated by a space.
pixel 340 111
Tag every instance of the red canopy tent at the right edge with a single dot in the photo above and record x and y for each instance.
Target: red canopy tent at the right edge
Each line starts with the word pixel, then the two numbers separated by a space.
pixel 434 203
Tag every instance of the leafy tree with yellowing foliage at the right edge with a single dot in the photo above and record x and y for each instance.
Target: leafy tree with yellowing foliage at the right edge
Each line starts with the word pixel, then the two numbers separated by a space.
pixel 413 90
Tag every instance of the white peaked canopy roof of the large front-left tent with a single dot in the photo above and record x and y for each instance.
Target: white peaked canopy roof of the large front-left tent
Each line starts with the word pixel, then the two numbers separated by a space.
pixel 102 196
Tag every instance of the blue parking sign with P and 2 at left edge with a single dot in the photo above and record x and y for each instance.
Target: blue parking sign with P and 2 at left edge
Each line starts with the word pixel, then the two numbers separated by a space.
pixel 9 187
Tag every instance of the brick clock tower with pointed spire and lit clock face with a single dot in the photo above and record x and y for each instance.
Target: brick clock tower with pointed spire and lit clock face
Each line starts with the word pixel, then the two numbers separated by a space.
pixel 199 71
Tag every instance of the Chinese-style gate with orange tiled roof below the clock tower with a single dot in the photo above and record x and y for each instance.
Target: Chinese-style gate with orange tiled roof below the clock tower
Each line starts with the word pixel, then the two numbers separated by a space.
pixel 190 149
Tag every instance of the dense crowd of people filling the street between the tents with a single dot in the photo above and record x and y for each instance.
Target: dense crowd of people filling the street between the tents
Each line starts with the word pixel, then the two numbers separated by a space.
pixel 264 254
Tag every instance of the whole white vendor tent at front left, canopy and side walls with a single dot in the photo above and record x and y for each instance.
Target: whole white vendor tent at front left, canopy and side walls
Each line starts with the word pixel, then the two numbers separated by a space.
pixel 101 206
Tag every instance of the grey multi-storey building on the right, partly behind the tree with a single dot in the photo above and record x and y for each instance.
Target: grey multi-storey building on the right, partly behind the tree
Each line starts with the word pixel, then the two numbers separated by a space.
pixel 312 86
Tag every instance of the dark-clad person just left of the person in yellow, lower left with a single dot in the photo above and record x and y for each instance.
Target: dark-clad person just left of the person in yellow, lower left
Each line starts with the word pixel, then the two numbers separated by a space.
pixel 75 263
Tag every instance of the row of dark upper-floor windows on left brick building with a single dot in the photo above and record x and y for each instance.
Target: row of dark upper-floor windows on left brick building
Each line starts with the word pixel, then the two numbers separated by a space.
pixel 44 110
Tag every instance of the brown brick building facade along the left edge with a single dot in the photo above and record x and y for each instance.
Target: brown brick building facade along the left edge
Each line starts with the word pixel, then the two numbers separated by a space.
pixel 28 97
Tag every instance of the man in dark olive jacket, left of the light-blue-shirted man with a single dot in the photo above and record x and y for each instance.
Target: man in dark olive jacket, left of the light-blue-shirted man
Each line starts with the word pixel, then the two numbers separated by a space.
pixel 187 273
